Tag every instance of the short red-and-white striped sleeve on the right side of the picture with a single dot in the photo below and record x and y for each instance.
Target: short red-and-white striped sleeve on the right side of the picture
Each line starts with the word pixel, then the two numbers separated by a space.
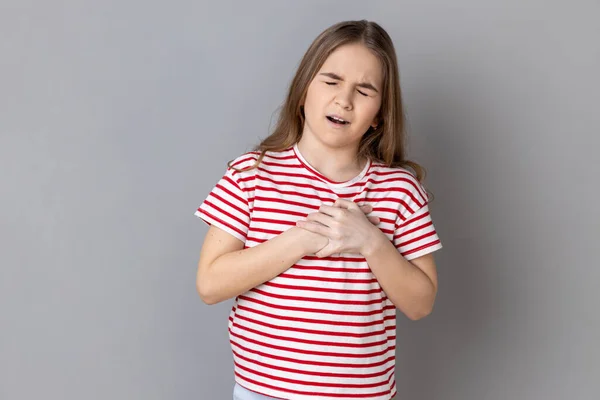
pixel 415 234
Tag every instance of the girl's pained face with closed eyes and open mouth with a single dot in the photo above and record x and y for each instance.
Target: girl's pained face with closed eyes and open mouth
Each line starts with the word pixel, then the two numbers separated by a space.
pixel 348 86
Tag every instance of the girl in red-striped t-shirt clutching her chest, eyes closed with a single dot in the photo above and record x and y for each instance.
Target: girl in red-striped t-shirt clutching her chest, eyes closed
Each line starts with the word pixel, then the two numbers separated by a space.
pixel 323 232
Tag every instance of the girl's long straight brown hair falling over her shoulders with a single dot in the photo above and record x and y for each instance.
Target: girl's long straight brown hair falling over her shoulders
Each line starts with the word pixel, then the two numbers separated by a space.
pixel 386 143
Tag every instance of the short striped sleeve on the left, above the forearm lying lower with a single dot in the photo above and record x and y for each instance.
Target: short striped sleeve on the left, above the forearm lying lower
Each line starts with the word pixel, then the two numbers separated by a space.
pixel 227 206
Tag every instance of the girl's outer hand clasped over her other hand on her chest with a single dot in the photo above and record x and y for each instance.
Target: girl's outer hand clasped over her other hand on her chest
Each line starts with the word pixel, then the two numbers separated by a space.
pixel 344 224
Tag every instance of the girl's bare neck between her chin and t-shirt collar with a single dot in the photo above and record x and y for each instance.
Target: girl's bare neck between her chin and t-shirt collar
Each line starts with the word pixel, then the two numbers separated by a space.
pixel 337 164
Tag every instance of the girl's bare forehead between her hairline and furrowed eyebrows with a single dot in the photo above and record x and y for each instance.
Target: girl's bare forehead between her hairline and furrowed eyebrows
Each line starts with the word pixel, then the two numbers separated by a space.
pixel 354 62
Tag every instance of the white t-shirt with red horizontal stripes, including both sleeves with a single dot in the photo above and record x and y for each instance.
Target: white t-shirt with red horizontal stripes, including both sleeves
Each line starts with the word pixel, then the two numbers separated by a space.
pixel 324 328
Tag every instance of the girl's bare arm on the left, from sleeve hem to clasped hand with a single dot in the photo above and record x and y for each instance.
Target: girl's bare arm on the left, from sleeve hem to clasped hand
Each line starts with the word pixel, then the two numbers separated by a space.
pixel 226 269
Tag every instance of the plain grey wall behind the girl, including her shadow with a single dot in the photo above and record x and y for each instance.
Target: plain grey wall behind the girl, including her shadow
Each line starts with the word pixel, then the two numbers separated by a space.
pixel 118 117
